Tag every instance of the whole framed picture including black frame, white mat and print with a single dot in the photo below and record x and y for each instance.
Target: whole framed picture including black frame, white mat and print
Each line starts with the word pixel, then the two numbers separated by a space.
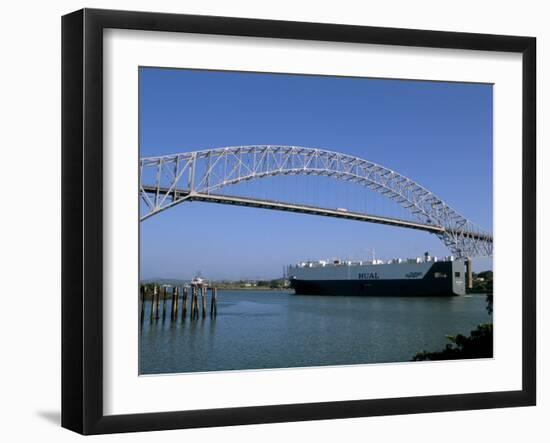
pixel 313 229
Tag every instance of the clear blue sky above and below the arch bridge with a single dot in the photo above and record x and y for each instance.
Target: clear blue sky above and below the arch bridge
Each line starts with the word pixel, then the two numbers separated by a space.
pixel 437 133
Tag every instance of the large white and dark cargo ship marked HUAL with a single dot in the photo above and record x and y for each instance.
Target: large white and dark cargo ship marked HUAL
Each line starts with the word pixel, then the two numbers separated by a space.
pixel 420 276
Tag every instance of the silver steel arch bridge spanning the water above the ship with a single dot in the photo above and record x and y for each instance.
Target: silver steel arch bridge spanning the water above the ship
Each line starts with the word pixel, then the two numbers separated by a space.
pixel 172 179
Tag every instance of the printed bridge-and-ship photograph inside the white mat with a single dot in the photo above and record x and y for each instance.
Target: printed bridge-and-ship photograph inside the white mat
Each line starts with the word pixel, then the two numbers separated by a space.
pixel 292 221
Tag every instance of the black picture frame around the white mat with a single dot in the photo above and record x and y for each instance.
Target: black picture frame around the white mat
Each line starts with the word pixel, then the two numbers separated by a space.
pixel 82 218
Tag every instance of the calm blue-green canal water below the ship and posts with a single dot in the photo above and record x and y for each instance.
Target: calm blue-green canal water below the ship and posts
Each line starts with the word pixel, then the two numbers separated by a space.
pixel 272 329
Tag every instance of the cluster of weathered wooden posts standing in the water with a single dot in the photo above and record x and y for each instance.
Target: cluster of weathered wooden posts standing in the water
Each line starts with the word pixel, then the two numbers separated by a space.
pixel 198 292
